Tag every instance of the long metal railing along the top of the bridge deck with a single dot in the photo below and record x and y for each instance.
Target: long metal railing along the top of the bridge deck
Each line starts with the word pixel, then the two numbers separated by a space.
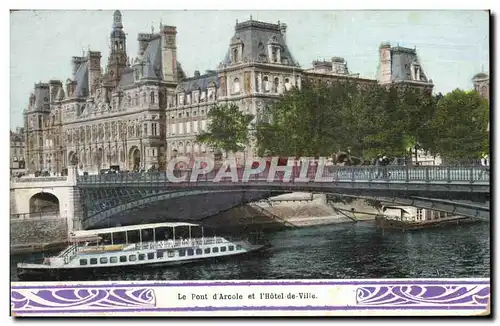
pixel 424 174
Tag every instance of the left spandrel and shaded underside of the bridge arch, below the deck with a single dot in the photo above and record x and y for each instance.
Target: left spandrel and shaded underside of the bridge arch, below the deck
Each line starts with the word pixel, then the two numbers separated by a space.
pixel 109 207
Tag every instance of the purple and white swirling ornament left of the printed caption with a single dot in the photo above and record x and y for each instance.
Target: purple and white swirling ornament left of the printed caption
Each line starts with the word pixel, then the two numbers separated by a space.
pixel 71 298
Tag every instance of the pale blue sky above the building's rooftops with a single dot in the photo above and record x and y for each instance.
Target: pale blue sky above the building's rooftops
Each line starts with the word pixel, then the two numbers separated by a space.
pixel 452 45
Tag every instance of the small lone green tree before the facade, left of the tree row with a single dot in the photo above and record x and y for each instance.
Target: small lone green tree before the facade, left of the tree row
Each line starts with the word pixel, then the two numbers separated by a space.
pixel 227 128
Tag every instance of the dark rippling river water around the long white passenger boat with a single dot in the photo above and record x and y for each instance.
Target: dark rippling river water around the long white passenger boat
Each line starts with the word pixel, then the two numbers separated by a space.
pixel 346 251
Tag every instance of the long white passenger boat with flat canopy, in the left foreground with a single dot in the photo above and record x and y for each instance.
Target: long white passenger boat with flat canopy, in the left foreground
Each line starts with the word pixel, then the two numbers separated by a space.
pixel 128 247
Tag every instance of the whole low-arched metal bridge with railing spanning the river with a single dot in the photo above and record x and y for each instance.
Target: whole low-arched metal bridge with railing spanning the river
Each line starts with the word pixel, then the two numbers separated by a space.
pixel 458 190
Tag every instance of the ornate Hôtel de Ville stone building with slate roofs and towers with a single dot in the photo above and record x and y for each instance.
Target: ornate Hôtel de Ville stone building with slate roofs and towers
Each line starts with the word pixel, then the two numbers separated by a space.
pixel 138 113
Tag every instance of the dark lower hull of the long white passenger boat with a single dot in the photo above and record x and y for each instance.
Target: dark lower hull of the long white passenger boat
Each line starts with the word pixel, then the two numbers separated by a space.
pixel 93 273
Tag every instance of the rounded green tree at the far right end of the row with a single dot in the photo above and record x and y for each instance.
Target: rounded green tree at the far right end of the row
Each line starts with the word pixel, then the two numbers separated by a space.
pixel 460 126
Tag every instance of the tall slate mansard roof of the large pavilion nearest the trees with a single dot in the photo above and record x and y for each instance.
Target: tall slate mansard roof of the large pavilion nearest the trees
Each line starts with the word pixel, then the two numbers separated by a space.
pixel 255 36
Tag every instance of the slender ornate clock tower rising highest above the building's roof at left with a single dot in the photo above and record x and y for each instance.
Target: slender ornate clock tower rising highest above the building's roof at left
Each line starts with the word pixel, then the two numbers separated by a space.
pixel 118 56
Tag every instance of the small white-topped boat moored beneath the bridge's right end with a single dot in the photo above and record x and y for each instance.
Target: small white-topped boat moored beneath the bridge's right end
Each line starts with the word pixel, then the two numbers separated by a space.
pixel 412 218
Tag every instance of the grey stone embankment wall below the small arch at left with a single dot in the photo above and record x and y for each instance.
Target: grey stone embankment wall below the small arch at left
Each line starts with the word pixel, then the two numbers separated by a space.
pixel 37 234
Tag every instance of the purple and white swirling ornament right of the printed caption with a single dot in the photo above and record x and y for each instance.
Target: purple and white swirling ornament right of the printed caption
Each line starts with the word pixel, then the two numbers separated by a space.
pixel 432 294
